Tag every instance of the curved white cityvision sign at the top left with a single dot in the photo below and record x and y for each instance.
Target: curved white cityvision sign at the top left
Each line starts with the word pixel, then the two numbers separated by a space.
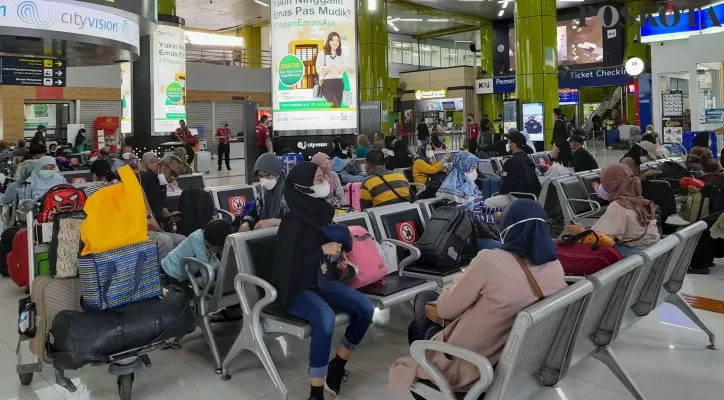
pixel 69 18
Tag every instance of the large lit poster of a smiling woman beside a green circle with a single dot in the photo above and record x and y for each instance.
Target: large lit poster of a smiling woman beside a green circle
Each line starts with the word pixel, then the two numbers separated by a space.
pixel 314 64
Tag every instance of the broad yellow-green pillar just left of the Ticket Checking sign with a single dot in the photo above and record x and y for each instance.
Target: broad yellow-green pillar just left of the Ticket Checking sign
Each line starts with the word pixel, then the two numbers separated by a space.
pixel 536 72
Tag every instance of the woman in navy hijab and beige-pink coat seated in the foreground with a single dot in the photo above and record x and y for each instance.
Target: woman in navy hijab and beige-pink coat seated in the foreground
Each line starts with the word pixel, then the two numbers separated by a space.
pixel 477 311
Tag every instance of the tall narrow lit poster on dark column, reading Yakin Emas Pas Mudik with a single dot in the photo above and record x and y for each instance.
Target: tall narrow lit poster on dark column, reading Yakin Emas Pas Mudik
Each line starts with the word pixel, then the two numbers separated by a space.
pixel 169 77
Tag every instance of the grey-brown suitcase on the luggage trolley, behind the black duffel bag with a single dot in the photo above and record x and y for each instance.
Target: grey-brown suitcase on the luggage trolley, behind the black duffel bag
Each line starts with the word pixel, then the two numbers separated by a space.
pixel 50 297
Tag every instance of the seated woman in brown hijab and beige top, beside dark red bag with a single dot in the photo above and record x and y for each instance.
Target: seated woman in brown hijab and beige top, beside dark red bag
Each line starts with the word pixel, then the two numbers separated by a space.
pixel 629 219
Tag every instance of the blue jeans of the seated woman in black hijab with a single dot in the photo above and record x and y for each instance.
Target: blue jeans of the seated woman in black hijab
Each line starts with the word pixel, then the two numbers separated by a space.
pixel 316 307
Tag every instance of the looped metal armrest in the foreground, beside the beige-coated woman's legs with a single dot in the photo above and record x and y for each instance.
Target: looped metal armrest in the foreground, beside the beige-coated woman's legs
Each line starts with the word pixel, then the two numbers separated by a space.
pixel 418 351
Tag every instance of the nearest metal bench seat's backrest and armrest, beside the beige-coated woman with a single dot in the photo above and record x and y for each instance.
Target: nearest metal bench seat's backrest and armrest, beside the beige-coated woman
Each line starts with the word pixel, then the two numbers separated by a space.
pixel 535 353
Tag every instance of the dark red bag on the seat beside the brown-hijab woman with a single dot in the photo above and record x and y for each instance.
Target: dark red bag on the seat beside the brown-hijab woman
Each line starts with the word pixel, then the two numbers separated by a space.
pixel 581 259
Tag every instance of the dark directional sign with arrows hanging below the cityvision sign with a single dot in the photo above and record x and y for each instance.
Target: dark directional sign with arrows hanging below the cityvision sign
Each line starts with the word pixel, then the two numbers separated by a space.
pixel 32 71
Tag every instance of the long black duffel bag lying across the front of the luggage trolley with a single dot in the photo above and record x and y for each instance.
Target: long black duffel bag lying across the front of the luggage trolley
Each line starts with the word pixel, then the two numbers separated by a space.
pixel 80 338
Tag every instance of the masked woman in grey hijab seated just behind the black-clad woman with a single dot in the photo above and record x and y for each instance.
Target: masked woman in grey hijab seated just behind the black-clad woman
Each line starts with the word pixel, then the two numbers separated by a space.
pixel 270 206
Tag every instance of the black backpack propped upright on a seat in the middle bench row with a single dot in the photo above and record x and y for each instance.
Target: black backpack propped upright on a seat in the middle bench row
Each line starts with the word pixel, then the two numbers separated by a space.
pixel 446 236
